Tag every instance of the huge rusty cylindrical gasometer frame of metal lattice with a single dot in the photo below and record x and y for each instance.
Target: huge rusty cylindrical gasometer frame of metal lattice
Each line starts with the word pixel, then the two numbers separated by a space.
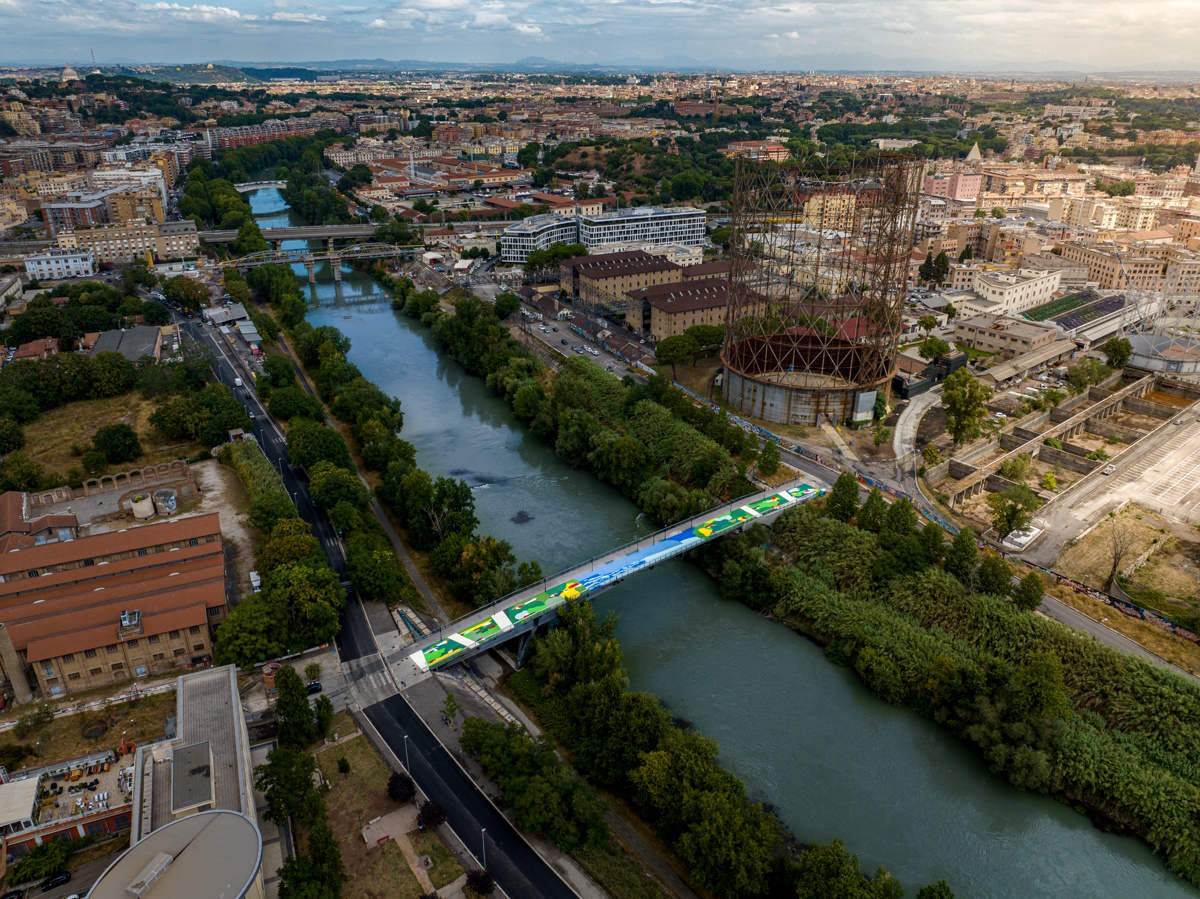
pixel 820 257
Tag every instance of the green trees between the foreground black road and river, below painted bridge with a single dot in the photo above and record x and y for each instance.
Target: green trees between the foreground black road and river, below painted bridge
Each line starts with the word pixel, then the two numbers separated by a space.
pixel 627 744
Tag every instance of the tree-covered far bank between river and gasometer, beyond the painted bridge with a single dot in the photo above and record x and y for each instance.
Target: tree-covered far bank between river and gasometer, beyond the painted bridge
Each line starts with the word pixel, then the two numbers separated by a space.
pixel 671 458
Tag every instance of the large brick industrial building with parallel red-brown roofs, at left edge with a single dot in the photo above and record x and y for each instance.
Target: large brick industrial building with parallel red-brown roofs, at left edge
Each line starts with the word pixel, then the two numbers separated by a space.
pixel 99 610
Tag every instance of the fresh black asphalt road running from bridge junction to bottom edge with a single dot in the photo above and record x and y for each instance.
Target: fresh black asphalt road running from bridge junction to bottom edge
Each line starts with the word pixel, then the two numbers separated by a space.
pixel 519 871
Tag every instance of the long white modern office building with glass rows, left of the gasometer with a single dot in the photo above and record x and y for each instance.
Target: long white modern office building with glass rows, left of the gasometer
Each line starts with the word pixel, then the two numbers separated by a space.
pixel 637 226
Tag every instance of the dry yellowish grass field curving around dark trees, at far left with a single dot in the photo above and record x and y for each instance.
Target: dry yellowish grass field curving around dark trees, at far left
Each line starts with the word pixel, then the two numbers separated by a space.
pixel 50 439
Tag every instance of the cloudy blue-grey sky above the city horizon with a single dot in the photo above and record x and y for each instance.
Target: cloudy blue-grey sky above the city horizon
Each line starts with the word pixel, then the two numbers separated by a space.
pixel 1027 35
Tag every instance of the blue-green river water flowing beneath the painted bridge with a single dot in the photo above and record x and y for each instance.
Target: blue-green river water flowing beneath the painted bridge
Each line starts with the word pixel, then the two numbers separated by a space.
pixel 803 734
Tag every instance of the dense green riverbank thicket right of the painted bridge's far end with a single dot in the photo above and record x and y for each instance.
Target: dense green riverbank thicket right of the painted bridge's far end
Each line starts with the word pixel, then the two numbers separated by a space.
pixel 937 630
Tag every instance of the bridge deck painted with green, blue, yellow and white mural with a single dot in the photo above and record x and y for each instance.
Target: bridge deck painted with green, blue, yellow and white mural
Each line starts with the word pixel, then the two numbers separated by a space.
pixel 500 620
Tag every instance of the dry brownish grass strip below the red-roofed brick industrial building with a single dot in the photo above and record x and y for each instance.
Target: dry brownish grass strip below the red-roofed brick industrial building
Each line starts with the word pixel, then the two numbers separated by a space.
pixel 63 739
